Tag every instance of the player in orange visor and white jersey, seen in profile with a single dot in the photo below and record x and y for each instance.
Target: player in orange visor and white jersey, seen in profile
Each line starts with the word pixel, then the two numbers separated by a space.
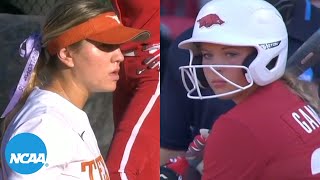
pixel 79 50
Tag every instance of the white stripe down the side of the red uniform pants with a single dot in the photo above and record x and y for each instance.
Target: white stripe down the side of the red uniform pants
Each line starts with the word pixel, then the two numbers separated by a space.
pixel 135 132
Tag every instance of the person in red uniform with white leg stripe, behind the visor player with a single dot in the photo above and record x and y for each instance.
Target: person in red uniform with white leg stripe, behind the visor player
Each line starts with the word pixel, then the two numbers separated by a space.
pixel 134 152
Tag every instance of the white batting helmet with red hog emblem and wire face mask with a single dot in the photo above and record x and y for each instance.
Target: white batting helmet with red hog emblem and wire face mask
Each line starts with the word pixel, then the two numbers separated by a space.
pixel 250 23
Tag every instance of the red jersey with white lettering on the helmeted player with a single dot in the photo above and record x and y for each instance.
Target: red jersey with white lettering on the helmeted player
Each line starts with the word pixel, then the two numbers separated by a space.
pixel 273 134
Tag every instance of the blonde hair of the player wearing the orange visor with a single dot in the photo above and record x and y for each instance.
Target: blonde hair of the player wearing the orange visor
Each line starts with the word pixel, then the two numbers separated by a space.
pixel 63 16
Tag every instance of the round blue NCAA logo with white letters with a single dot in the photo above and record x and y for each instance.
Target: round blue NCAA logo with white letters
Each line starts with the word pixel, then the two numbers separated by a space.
pixel 26 153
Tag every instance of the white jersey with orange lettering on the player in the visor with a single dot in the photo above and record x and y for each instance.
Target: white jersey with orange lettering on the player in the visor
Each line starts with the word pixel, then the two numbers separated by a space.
pixel 72 149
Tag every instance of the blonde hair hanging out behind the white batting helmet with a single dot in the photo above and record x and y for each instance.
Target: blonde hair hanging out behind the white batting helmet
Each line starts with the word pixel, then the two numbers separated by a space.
pixel 305 90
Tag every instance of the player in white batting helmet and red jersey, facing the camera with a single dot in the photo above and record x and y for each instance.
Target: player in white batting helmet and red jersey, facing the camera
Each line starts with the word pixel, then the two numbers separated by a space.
pixel 274 130
